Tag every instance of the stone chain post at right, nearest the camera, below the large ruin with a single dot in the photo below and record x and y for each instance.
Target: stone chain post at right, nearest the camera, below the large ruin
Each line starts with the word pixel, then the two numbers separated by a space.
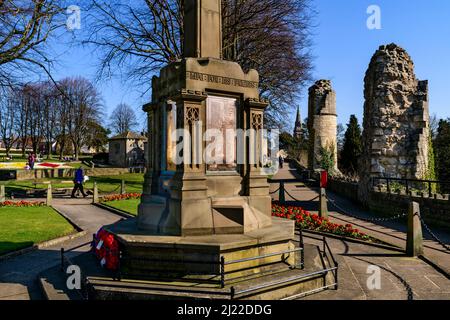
pixel 414 241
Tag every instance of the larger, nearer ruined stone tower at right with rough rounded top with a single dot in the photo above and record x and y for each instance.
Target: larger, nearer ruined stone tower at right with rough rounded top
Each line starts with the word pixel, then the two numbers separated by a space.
pixel 396 120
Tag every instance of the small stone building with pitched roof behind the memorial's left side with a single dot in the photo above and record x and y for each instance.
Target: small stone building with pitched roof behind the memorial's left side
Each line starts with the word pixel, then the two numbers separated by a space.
pixel 127 150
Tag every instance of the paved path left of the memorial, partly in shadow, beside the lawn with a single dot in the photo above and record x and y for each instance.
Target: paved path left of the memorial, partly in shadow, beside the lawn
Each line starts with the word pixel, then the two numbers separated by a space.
pixel 18 276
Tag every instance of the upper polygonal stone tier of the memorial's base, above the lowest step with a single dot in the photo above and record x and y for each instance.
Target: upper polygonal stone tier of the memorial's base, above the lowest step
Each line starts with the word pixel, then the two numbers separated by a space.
pixel 199 257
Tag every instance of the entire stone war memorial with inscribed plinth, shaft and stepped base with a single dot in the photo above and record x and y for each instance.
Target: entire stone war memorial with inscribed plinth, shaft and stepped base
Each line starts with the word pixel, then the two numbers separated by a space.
pixel 208 226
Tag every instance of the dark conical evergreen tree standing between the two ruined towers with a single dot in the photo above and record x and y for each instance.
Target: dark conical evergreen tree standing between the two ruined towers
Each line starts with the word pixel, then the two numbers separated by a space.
pixel 352 148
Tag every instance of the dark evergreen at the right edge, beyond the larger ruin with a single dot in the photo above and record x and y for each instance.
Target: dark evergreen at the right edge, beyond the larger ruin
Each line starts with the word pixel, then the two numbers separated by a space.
pixel 442 153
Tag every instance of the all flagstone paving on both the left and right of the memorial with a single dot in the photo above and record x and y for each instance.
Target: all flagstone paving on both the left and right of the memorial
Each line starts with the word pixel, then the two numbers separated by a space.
pixel 402 278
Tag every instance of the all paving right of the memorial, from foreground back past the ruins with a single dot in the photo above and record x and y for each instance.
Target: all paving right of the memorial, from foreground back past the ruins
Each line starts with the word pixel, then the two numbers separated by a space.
pixel 422 280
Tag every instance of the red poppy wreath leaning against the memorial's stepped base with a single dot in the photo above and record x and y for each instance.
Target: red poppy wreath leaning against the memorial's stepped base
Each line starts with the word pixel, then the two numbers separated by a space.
pixel 106 249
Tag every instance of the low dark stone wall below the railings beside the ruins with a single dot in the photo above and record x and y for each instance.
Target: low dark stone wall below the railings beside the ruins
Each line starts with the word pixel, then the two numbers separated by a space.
pixel 435 210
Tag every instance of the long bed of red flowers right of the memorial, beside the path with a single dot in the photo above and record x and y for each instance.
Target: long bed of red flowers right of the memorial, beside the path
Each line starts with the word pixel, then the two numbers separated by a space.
pixel 308 221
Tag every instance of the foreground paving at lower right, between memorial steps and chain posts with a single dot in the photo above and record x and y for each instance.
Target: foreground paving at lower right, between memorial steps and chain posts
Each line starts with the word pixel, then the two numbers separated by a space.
pixel 401 277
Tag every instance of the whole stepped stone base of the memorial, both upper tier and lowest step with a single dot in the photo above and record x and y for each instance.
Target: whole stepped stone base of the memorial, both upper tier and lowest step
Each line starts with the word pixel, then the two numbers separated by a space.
pixel 264 264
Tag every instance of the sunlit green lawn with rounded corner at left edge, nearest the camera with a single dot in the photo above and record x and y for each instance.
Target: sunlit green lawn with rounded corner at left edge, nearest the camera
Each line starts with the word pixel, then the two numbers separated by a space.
pixel 24 227
